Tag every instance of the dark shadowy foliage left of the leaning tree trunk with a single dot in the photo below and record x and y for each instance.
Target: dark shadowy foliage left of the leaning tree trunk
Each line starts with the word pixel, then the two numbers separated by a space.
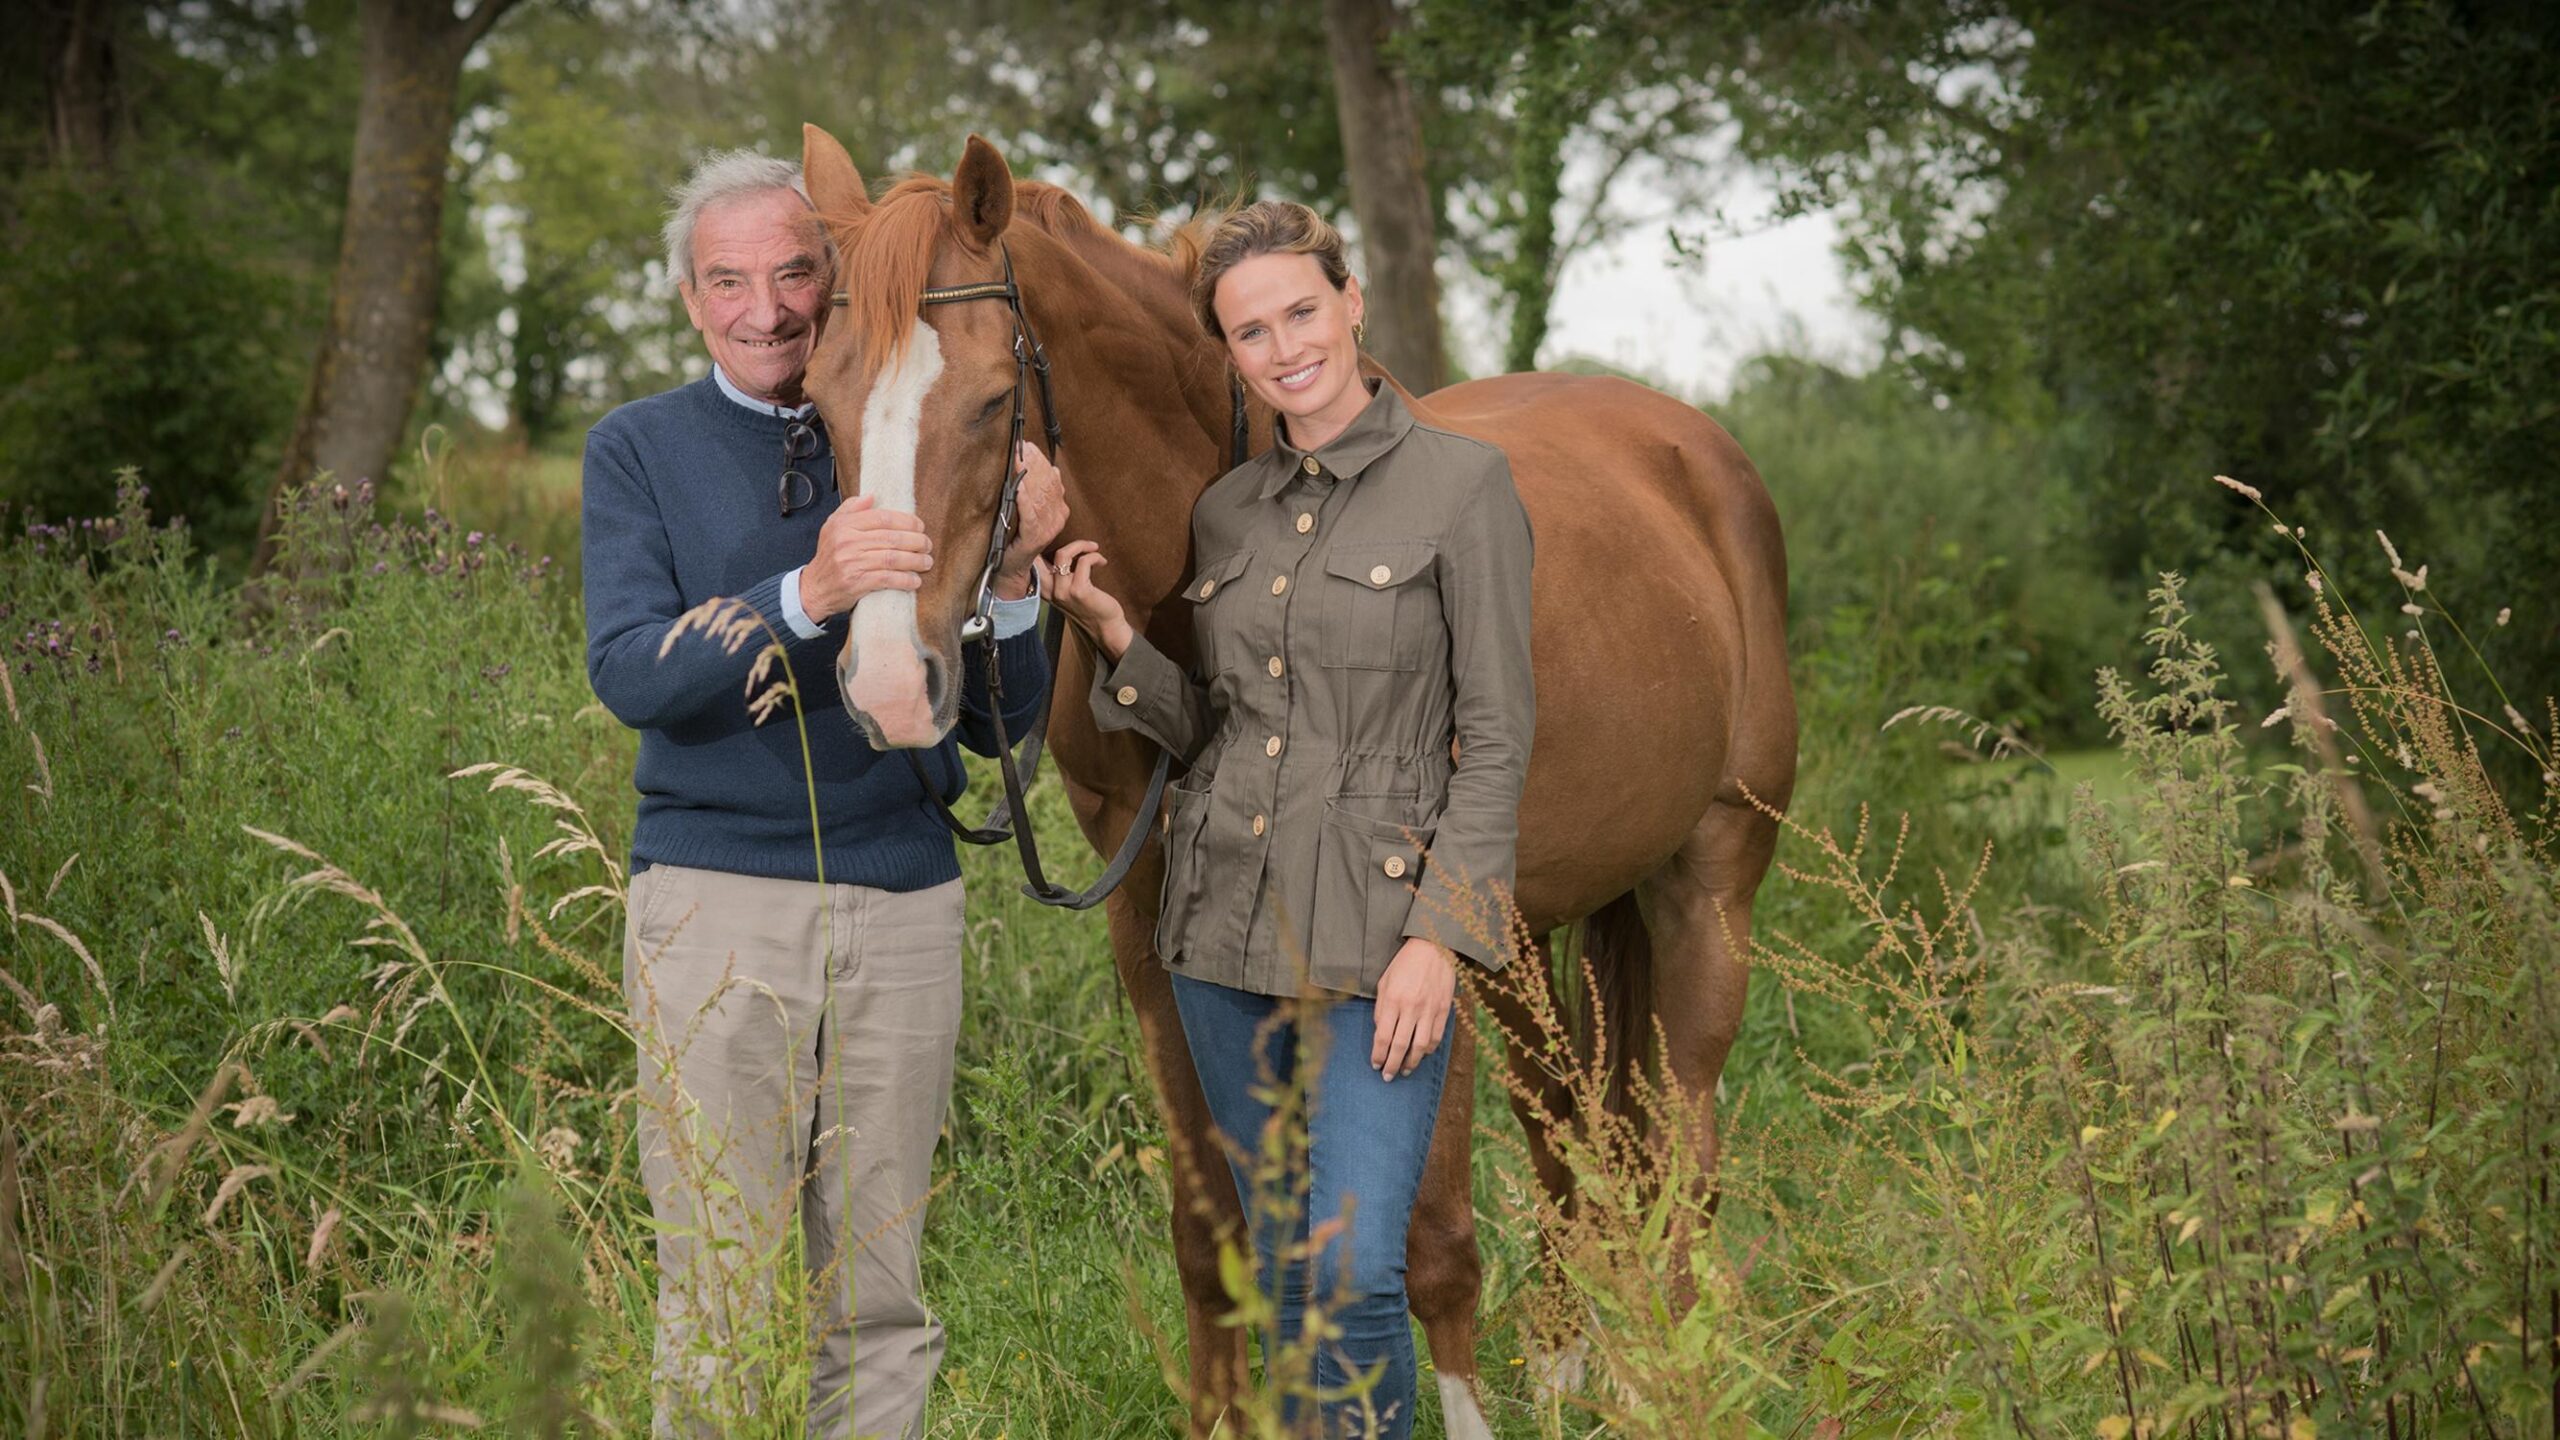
pixel 163 314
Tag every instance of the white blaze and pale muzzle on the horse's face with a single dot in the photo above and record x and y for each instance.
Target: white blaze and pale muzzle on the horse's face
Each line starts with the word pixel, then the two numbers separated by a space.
pixel 887 675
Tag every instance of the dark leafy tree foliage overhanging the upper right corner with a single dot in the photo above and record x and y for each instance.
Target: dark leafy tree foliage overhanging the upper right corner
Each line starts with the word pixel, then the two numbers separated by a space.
pixel 2298 245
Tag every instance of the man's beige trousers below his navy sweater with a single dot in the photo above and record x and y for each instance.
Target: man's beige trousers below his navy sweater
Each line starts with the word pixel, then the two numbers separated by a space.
pixel 795 1057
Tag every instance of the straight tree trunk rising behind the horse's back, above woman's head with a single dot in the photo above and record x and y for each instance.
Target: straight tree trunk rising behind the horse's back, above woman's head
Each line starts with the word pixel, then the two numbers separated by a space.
pixel 1384 150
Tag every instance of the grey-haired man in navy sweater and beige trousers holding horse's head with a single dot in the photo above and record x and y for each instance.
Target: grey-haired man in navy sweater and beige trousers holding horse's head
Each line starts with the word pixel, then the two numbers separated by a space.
pixel 792 954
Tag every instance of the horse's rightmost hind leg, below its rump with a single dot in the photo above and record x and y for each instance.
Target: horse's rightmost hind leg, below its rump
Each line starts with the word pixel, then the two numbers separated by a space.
pixel 1699 911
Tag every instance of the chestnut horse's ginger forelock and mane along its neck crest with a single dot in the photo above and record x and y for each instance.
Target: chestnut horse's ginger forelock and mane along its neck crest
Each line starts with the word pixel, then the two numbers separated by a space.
pixel 892 250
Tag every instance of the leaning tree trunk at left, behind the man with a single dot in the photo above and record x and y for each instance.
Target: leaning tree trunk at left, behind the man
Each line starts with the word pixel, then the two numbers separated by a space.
pixel 383 301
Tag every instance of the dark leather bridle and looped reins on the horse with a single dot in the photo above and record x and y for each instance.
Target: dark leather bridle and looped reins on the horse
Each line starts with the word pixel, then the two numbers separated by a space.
pixel 1010 816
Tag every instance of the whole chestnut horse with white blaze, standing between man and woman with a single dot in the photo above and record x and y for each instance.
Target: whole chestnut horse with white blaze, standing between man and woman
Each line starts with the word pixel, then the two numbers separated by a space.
pixel 1660 642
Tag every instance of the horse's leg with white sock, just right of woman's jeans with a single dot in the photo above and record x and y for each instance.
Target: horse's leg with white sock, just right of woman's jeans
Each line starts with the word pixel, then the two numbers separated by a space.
pixel 1445 1272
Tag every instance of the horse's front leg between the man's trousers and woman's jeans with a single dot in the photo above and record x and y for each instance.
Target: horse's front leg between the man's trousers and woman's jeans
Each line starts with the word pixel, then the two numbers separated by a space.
pixel 1204 1193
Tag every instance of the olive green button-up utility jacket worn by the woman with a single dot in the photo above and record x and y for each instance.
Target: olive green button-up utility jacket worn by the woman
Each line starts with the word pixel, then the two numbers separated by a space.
pixel 1358 611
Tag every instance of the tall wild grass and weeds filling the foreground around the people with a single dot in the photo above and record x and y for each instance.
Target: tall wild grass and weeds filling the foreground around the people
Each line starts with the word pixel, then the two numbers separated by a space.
pixel 2190 1085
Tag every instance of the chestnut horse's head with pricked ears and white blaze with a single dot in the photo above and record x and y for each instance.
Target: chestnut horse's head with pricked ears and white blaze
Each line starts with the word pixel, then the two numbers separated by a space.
pixel 920 411
